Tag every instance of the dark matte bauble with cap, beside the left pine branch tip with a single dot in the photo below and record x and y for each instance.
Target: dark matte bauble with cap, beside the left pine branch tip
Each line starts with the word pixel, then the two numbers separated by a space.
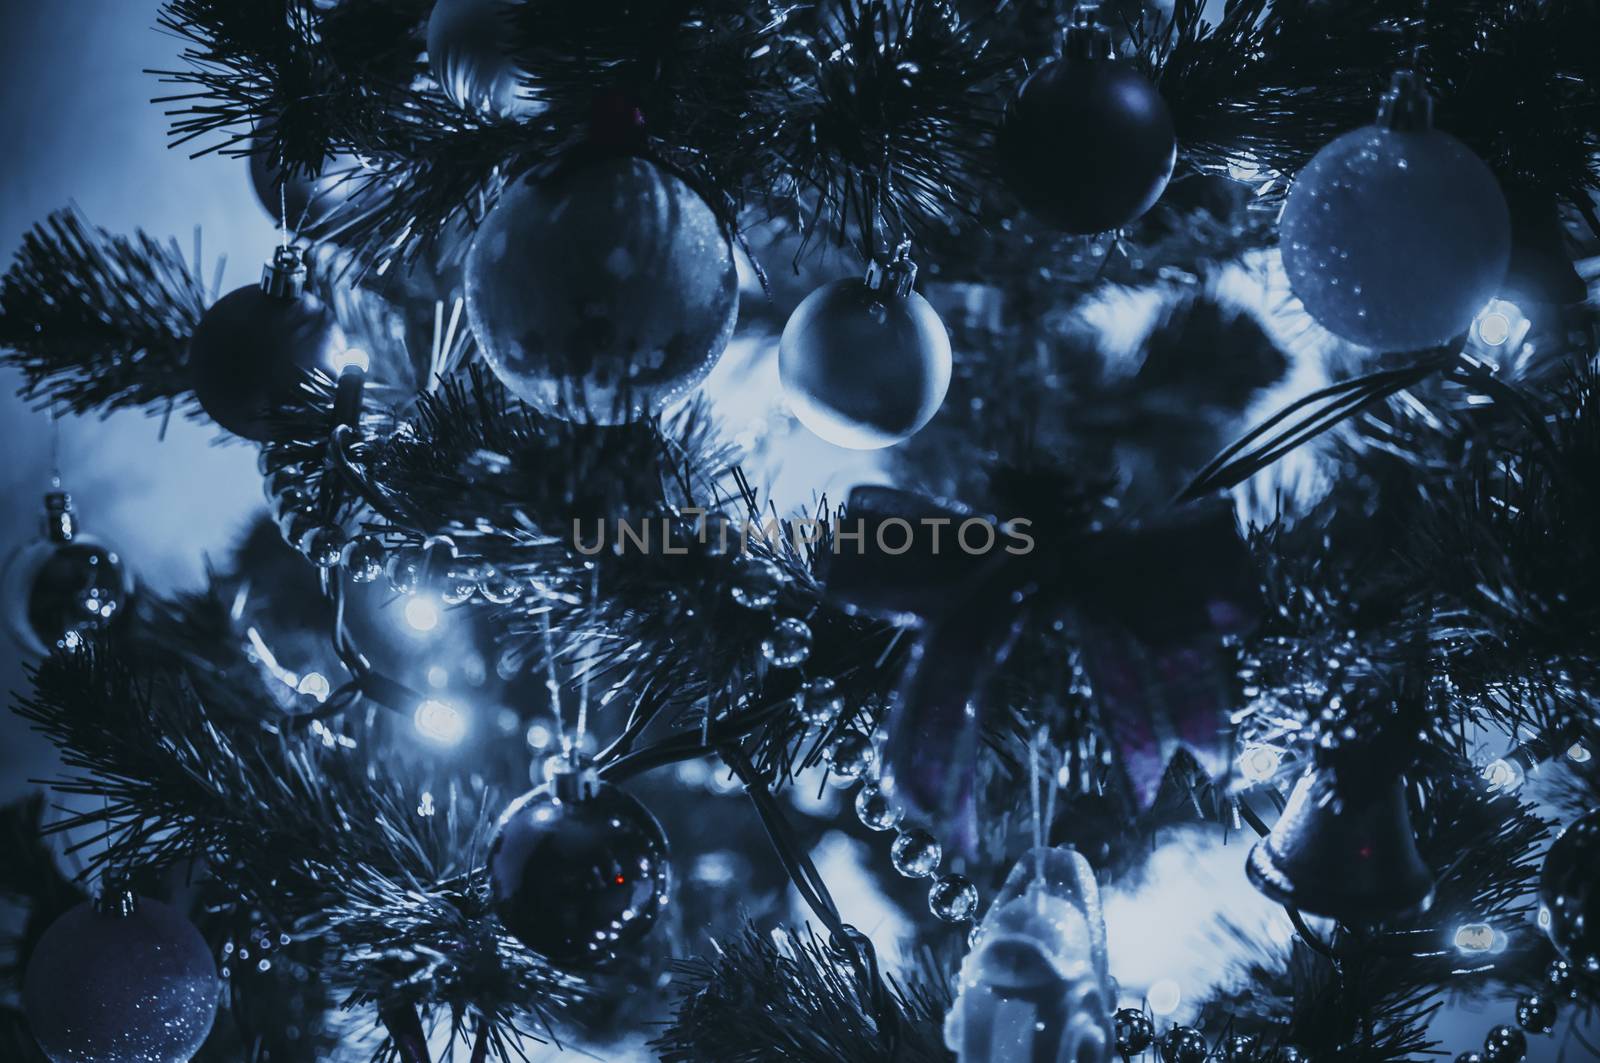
pixel 255 348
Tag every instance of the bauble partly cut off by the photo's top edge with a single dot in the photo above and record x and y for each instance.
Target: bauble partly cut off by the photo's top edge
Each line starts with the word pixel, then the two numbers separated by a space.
pixel 468 47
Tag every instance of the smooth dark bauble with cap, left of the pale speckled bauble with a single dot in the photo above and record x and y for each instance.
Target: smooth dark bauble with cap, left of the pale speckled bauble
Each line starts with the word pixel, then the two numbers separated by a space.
pixel 1089 143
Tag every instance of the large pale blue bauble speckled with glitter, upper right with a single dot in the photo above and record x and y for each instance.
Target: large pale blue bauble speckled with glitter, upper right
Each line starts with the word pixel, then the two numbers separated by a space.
pixel 1396 239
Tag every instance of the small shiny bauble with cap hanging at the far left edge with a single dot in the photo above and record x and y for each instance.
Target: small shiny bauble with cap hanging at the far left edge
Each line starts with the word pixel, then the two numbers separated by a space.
pixel 65 584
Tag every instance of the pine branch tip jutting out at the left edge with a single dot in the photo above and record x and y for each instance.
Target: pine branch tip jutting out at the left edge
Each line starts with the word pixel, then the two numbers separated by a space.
pixel 100 323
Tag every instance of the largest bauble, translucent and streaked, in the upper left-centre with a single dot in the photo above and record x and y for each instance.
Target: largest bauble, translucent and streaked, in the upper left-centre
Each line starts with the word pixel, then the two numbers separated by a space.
pixel 602 295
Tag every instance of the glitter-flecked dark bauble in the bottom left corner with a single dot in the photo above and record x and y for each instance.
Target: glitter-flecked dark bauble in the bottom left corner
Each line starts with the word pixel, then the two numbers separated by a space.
pixel 121 989
